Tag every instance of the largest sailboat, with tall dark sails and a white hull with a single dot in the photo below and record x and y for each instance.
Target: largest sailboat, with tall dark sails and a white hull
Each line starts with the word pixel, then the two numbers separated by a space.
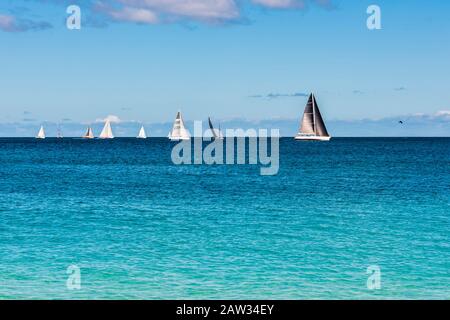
pixel 312 126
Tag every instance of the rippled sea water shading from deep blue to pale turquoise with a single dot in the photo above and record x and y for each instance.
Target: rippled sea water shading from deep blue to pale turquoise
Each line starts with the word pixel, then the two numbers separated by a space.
pixel 140 227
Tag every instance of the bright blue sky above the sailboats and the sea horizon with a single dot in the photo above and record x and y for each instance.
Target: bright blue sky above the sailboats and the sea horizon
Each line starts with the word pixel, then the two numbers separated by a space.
pixel 141 61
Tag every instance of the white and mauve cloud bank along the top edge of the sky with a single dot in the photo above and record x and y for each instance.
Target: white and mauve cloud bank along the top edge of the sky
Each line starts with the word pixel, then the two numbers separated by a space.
pixel 156 11
